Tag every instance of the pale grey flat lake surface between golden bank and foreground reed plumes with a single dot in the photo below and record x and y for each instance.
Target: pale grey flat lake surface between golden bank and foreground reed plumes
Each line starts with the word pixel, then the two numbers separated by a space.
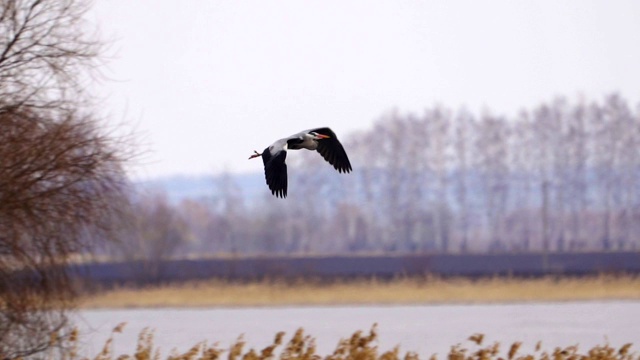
pixel 426 329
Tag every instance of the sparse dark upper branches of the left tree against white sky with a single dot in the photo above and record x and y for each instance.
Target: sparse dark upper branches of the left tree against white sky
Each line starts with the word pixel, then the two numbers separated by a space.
pixel 42 49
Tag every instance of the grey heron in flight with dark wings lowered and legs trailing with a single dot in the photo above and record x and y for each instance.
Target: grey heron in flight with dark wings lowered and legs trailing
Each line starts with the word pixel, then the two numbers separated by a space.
pixel 324 140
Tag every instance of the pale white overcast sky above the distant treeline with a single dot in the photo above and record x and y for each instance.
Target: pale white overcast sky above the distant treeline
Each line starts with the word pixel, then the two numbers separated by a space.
pixel 205 83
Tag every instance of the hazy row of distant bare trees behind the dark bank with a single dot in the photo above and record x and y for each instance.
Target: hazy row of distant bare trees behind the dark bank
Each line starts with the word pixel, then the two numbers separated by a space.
pixel 564 176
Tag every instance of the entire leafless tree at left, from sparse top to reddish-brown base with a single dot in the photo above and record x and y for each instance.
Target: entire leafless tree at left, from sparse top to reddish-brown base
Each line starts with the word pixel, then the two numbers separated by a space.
pixel 61 176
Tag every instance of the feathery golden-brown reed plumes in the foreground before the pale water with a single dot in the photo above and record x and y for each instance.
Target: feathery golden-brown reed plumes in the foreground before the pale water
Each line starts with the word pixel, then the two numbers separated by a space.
pixel 359 346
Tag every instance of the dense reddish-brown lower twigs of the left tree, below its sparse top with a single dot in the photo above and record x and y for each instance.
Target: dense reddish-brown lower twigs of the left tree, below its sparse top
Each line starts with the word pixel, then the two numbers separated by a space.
pixel 59 184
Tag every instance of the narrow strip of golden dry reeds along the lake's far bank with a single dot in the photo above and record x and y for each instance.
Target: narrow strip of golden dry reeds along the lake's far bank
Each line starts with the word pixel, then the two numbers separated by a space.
pixel 412 290
